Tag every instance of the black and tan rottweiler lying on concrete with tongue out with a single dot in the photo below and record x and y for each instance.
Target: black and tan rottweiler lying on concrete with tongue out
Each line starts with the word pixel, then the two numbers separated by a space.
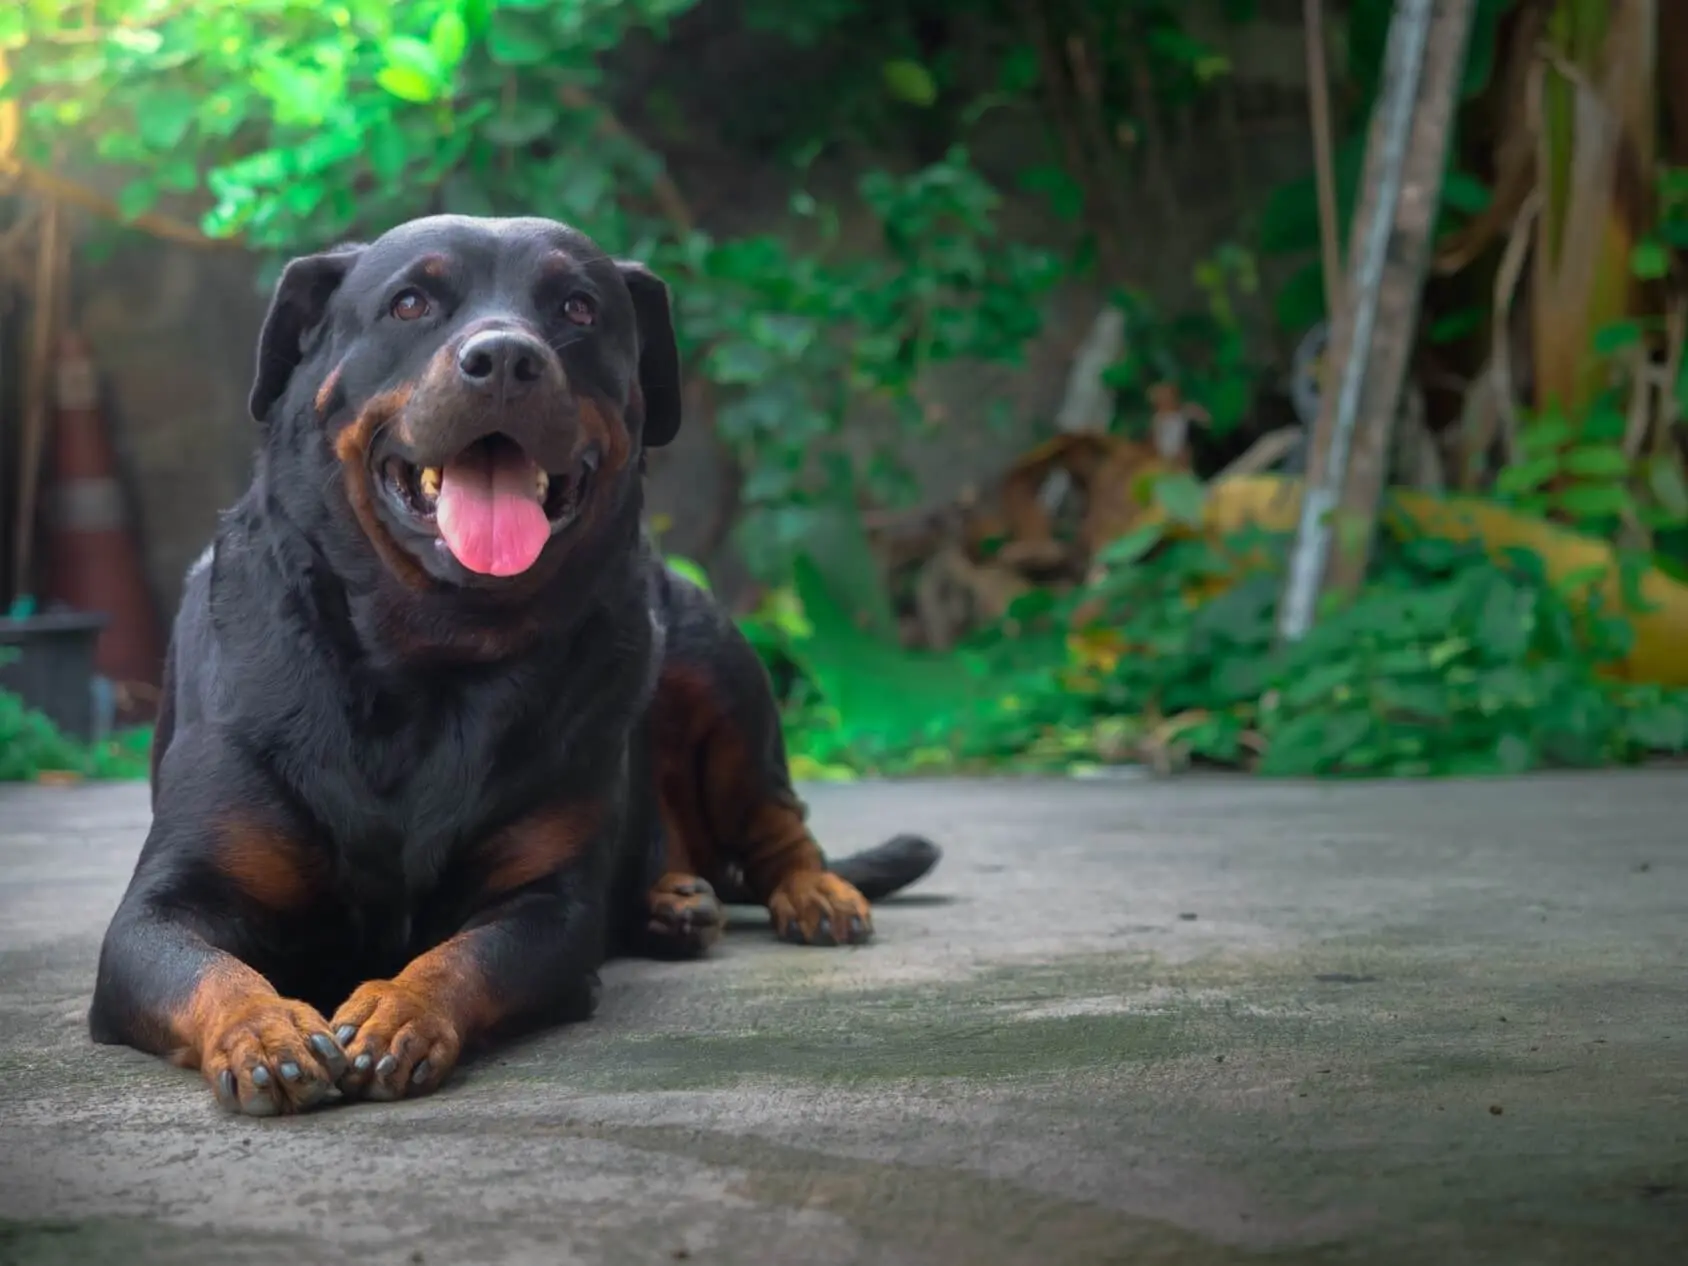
pixel 440 732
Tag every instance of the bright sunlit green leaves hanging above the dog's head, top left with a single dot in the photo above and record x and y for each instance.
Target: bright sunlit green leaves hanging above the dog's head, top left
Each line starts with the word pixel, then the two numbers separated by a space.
pixel 308 122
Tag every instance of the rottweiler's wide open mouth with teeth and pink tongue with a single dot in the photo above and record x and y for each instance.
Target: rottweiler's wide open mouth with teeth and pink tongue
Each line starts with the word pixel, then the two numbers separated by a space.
pixel 492 506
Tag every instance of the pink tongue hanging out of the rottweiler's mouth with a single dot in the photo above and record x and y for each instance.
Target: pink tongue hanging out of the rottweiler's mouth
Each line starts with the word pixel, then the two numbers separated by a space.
pixel 489 511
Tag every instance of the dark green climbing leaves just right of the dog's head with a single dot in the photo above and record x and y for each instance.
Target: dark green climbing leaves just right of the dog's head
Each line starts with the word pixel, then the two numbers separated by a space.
pixel 801 340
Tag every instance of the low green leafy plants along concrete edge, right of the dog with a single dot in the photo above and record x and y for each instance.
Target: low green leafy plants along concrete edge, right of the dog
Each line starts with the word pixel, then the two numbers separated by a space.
pixel 1447 664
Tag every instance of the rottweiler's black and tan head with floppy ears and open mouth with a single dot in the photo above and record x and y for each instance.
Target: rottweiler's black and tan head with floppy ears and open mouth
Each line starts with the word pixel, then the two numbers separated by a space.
pixel 484 386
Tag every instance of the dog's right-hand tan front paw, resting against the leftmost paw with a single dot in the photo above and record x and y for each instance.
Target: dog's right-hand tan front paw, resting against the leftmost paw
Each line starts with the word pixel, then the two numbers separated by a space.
pixel 399 1042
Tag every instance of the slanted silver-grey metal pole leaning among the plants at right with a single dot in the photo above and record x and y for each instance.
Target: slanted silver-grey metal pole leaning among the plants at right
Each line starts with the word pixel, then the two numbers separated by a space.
pixel 1405 65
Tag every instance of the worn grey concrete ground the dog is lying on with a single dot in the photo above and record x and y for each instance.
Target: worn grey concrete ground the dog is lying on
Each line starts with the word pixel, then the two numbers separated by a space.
pixel 1177 1024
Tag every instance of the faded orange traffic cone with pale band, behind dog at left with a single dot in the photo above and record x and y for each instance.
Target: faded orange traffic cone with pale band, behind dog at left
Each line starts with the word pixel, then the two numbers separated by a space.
pixel 94 561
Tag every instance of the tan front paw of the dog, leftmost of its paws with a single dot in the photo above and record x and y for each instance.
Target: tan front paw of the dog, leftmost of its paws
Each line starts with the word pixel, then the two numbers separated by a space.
pixel 268 1056
